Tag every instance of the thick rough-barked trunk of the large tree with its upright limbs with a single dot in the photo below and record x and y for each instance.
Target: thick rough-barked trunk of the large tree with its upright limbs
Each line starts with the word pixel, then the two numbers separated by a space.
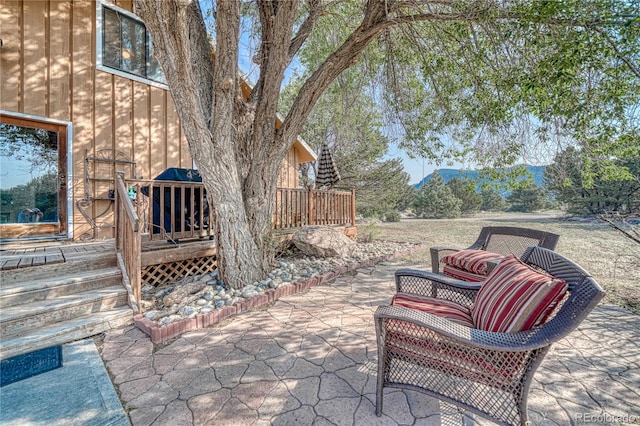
pixel 234 142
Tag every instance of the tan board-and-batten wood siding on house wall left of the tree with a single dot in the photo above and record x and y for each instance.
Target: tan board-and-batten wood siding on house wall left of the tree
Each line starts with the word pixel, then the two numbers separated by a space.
pixel 48 70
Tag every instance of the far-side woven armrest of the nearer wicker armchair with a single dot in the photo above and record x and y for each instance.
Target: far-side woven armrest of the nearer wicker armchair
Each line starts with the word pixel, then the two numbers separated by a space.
pixel 436 285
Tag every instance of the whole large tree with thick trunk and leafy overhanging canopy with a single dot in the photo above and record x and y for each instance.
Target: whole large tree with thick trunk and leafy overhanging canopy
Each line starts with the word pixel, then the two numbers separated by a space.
pixel 491 79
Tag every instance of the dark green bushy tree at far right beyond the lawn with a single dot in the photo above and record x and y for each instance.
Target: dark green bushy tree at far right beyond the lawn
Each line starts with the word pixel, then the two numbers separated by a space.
pixel 609 185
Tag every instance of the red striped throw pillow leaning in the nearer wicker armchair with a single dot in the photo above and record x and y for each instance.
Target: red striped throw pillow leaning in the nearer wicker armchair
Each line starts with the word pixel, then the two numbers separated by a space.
pixel 515 297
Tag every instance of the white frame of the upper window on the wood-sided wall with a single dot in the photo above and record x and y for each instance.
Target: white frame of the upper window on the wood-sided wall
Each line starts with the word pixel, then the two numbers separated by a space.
pixel 100 23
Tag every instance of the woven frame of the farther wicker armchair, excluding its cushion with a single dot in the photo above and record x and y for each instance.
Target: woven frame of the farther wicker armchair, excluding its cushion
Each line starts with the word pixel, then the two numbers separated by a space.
pixel 502 240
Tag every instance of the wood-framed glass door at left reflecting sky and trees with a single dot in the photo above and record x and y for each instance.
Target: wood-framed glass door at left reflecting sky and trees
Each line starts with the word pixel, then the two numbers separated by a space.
pixel 33 178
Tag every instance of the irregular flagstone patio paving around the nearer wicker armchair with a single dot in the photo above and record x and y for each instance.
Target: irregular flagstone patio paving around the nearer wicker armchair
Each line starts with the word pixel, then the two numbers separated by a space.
pixel 310 359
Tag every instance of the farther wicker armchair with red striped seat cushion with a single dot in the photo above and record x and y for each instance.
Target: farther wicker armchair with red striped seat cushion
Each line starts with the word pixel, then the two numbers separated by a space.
pixel 498 240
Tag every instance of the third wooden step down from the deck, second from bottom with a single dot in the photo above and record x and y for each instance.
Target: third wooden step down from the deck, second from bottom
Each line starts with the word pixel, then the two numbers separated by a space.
pixel 22 319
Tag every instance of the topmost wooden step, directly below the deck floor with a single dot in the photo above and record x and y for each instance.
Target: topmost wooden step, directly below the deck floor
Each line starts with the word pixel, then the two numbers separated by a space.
pixel 78 264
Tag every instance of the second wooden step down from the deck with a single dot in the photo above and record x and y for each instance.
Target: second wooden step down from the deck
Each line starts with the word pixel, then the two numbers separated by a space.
pixel 22 292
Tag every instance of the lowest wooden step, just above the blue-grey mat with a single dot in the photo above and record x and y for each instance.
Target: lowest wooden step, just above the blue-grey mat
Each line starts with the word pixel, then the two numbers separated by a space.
pixel 65 331
